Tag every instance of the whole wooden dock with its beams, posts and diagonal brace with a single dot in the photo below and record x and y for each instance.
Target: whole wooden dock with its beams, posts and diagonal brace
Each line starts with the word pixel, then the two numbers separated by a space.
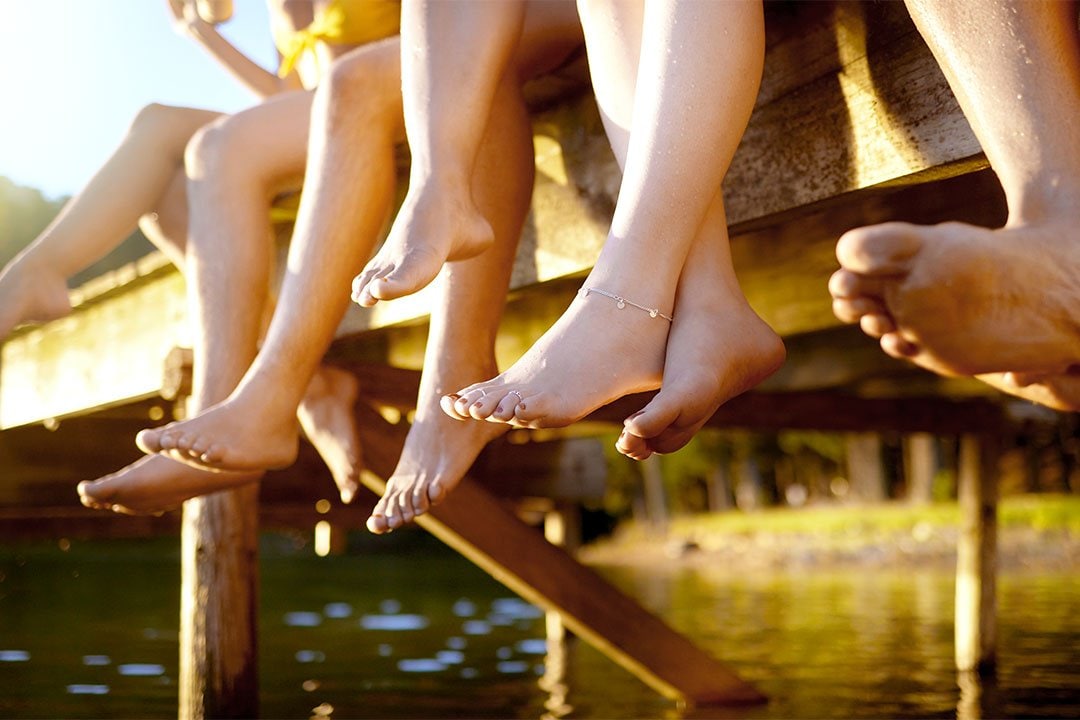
pixel 855 125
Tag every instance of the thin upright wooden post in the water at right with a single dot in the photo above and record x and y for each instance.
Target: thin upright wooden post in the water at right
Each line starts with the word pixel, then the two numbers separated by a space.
pixel 977 555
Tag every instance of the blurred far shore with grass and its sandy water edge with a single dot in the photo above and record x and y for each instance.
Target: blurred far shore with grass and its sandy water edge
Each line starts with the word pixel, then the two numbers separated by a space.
pixel 1035 532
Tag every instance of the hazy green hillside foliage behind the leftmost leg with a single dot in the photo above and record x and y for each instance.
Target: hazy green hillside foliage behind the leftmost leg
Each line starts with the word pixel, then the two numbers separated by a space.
pixel 26 212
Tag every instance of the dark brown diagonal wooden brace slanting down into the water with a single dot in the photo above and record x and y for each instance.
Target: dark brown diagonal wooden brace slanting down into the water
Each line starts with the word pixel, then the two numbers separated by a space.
pixel 484 531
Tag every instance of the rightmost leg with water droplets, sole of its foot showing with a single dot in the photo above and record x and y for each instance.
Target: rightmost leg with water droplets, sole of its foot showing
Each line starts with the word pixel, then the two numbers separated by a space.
pixel 964 301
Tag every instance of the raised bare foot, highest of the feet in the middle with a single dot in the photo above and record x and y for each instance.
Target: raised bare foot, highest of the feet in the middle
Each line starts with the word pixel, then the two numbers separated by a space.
pixel 438 227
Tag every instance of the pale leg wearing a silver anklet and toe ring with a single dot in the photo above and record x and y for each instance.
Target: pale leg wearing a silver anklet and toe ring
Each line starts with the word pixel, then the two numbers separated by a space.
pixel 687 121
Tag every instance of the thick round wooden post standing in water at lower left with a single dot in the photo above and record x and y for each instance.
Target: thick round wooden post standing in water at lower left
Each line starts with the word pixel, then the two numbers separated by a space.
pixel 219 606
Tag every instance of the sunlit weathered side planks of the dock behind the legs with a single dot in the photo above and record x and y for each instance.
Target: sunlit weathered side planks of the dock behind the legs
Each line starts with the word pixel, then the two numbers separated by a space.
pixel 853 102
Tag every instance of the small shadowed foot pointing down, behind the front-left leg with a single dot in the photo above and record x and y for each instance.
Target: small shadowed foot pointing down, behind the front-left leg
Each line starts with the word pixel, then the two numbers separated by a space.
pixel 329 420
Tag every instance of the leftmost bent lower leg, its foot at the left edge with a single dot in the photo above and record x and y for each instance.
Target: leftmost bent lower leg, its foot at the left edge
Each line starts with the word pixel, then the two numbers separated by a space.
pixel 131 184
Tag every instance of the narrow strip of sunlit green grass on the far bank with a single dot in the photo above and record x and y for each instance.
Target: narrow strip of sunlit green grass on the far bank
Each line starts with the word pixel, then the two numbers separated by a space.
pixel 1039 512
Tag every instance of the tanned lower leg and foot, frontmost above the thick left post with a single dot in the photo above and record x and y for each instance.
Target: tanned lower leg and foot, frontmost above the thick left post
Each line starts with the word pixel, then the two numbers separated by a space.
pixel 349 187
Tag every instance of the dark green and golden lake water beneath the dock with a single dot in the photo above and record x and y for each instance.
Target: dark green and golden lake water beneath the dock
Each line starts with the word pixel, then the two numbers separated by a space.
pixel 404 629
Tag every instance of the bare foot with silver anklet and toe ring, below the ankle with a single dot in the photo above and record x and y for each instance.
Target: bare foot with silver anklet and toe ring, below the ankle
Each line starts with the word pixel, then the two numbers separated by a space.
pixel 596 354
